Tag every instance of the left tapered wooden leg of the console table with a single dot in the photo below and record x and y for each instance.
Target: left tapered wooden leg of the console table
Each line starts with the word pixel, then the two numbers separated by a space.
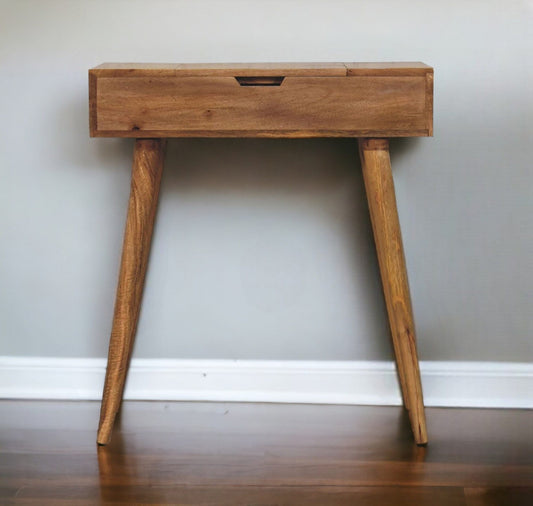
pixel 147 168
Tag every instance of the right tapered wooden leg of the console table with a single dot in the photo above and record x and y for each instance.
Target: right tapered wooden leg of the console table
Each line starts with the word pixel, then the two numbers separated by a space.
pixel 385 223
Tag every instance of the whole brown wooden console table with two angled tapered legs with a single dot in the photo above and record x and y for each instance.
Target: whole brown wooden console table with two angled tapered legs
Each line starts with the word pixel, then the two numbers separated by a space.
pixel 369 101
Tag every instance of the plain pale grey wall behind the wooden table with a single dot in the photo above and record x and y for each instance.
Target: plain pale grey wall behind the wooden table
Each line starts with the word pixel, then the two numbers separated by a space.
pixel 263 247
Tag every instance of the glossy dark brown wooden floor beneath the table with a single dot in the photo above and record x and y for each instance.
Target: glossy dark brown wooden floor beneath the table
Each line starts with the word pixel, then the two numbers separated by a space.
pixel 263 454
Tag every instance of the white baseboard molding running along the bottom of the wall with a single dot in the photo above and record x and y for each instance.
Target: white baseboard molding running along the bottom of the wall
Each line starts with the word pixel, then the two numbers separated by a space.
pixel 451 384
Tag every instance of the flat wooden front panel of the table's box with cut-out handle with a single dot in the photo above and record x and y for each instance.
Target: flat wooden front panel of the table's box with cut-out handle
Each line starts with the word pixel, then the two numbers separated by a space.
pixel 358 106
